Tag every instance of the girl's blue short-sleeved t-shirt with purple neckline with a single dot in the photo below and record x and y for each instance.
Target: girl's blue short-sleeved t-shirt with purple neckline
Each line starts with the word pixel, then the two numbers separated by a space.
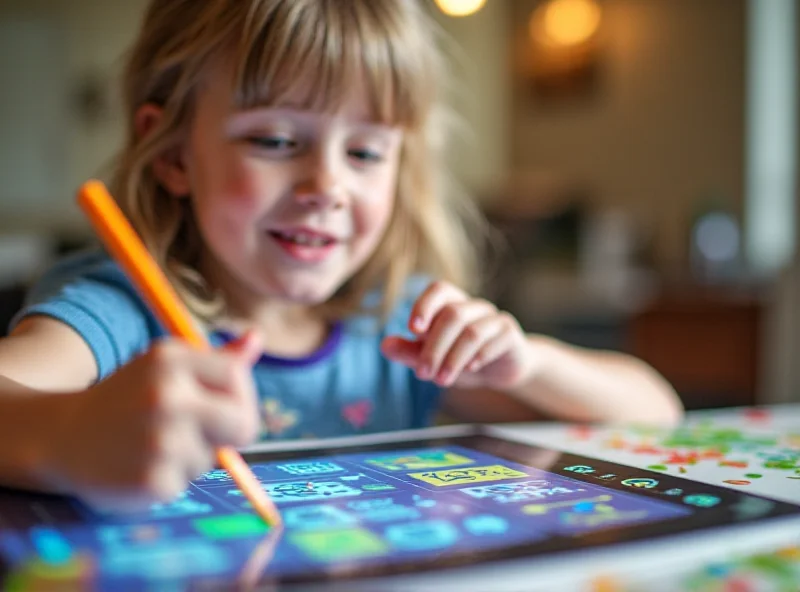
pixel 346 387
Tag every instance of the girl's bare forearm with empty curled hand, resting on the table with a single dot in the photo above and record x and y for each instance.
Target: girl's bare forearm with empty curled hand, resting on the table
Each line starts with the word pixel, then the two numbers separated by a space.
pixel 475 351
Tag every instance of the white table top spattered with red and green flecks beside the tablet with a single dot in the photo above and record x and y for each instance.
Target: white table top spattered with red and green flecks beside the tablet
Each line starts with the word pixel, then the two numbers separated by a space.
pixel 755 449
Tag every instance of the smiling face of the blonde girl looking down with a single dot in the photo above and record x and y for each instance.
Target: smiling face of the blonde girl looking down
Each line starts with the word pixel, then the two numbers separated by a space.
pixel 290 203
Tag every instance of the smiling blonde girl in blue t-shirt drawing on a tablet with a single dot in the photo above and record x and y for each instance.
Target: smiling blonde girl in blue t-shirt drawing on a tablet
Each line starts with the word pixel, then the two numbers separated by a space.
pixel 282 165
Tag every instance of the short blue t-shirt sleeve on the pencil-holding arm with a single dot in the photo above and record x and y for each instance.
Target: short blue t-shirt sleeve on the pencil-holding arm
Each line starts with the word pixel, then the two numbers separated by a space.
pixel 90 293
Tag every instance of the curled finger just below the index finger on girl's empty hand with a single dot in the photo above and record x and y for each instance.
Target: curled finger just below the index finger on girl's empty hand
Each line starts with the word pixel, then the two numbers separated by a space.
pixel 444 330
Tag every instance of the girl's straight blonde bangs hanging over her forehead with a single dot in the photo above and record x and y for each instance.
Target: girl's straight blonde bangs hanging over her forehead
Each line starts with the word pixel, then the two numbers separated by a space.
pixel 315 54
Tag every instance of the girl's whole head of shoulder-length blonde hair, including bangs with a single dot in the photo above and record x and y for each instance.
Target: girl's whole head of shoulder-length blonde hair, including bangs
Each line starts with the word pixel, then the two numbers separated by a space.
pixel 392 44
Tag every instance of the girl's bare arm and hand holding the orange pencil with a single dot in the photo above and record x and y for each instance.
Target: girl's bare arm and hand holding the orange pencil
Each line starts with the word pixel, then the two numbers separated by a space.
pixel 134 438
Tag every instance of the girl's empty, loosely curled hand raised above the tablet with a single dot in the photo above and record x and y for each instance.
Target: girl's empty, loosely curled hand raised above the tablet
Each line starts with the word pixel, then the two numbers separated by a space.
pixel 463 342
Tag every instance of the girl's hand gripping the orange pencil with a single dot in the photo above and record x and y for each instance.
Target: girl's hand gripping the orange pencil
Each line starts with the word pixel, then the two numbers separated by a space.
pixel 139 436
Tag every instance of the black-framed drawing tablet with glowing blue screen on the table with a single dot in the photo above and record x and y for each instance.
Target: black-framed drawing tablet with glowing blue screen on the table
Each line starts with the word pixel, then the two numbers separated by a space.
pixel 373 506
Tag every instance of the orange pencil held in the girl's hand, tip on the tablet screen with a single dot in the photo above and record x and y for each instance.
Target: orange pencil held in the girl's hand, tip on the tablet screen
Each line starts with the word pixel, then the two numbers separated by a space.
pixel 128 250
